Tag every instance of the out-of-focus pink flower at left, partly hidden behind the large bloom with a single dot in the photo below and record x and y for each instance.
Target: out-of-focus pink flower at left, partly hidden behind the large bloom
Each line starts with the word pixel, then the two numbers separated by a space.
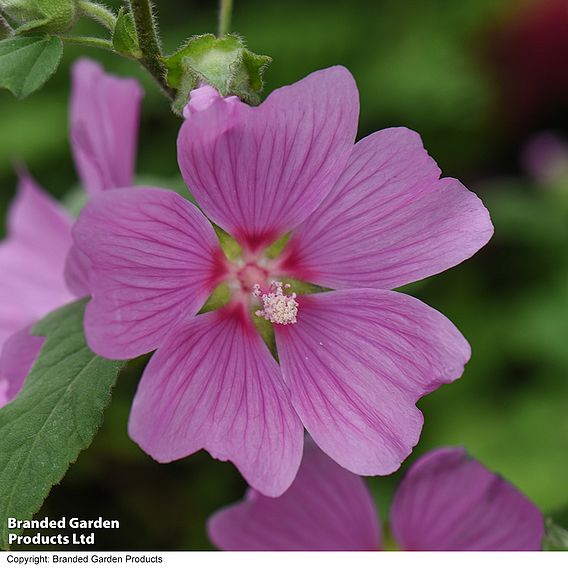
pixel 104 121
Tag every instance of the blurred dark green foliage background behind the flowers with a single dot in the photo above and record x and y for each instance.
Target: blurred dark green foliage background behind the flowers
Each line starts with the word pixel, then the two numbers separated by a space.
pixel 426 64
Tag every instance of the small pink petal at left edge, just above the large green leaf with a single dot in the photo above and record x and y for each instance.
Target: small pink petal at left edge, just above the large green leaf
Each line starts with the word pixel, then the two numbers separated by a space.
pixel 17 357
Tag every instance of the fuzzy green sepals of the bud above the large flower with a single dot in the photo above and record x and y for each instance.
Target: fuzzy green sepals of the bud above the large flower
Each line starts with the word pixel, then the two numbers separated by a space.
pixel 225 63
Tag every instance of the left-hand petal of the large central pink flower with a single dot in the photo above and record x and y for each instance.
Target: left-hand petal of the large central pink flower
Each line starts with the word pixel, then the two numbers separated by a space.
pixel 154 260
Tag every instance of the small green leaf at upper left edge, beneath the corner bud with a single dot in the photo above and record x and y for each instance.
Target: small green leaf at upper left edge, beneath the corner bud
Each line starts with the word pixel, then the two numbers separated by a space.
pixel 27 62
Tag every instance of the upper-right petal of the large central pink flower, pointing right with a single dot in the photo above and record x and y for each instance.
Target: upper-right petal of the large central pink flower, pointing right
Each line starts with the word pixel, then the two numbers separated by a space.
pixel 389 220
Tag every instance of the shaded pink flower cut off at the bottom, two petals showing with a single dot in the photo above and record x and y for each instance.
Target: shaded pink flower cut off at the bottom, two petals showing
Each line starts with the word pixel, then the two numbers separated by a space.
pixel 446 501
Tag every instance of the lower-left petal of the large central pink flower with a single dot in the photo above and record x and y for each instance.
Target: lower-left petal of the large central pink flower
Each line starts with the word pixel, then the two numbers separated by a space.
pixel 213 384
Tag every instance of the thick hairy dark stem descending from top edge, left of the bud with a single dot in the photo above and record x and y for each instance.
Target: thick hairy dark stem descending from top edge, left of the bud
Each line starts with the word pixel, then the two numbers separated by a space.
pixel 149 44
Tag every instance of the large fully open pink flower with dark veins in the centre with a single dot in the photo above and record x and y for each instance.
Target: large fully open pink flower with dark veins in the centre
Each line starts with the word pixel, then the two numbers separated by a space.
pixel 363 218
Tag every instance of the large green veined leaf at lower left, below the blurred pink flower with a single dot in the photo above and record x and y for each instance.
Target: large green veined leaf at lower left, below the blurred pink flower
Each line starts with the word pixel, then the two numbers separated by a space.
pixel 54 417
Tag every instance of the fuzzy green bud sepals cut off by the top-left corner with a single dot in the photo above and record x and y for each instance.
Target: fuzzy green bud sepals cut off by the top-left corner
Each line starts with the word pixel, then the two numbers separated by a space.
pixel 50 16
